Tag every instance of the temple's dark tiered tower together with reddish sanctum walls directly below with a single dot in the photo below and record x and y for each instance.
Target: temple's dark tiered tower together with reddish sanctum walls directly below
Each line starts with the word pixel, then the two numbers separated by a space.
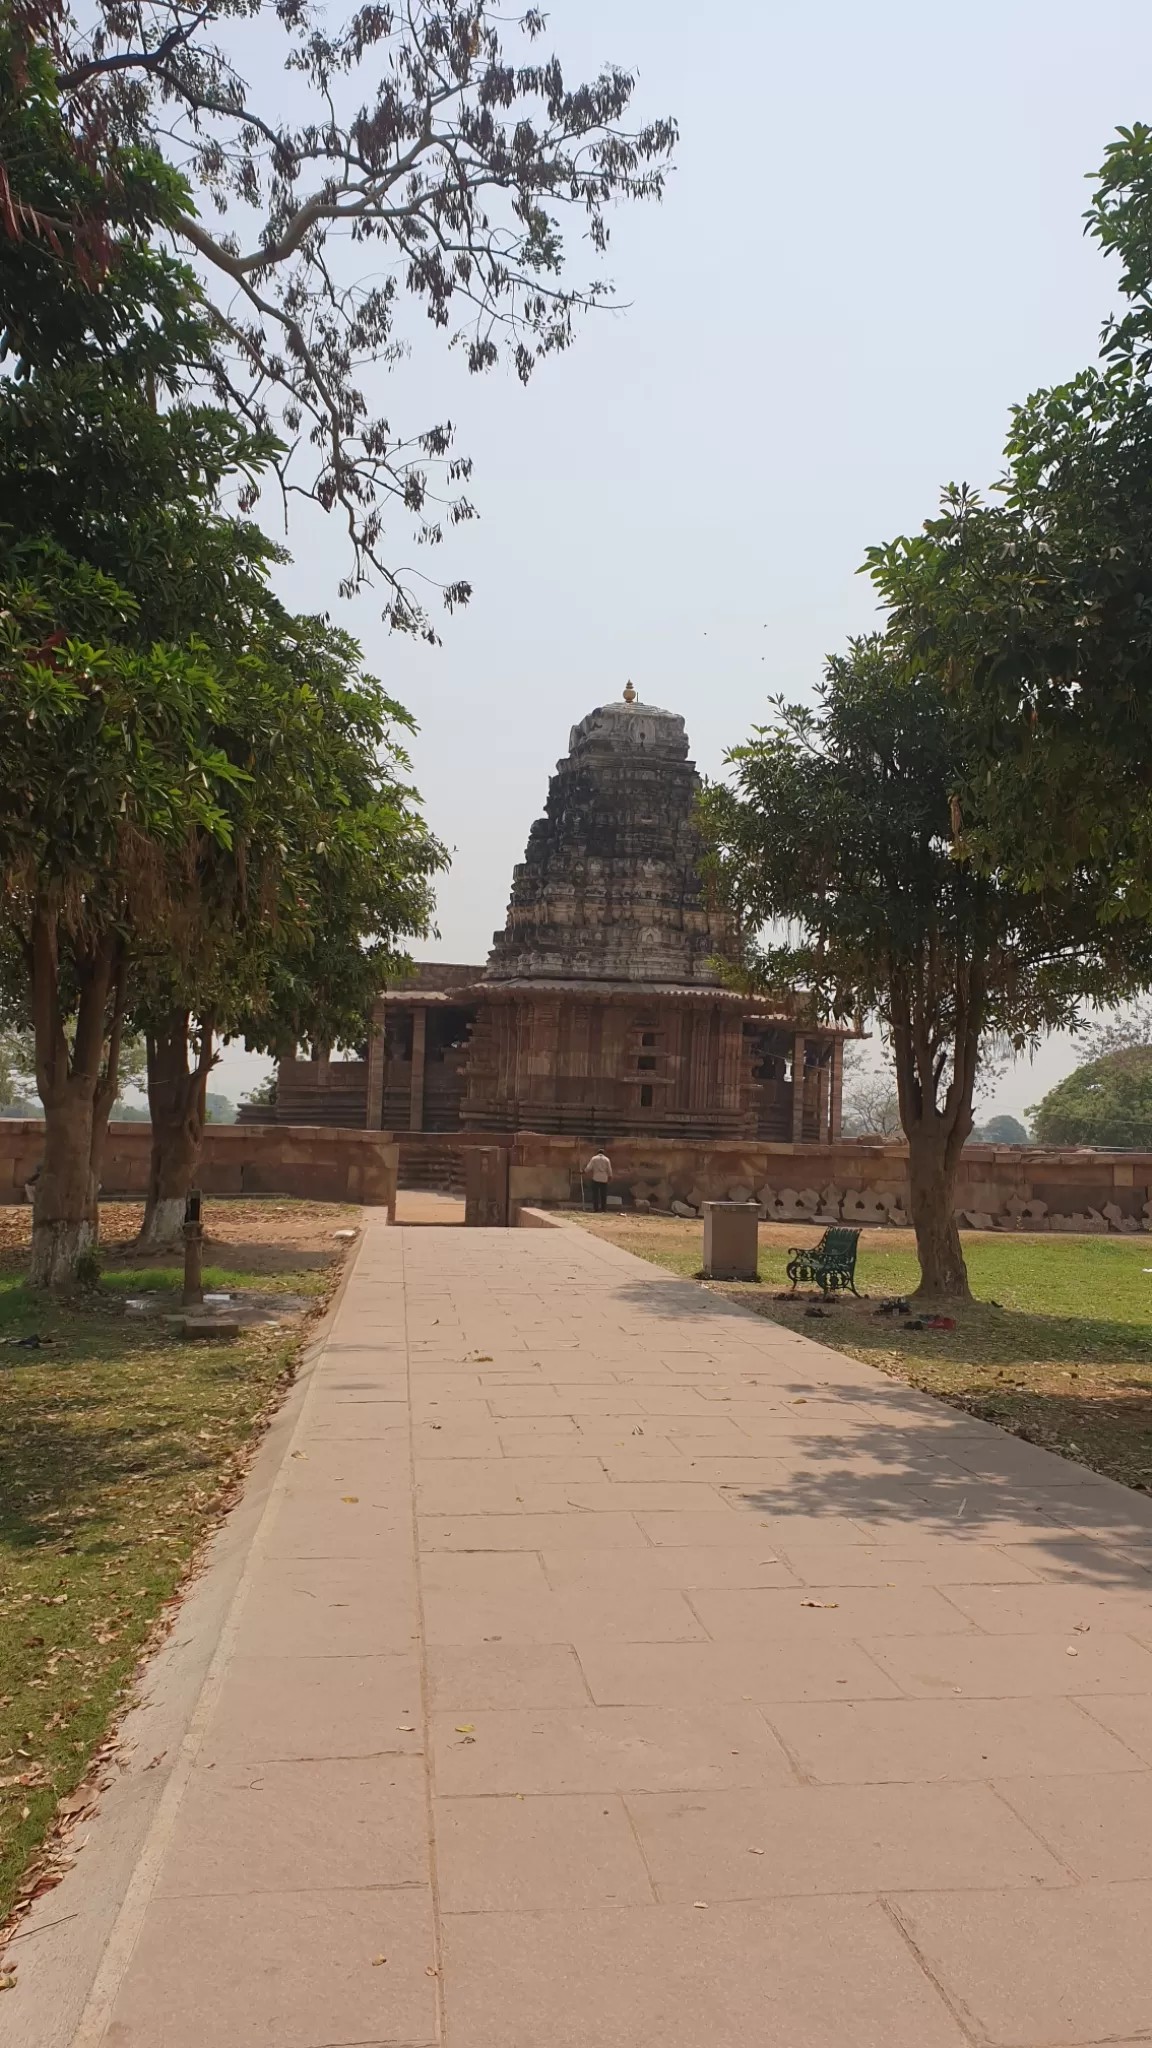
pixel 602 1007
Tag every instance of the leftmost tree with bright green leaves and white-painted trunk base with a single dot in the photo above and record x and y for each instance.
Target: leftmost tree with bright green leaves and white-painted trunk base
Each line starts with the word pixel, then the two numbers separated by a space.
pixel 108 771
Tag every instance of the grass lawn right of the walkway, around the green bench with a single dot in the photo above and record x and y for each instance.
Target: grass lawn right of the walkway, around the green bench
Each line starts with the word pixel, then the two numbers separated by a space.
pixel 1057 1345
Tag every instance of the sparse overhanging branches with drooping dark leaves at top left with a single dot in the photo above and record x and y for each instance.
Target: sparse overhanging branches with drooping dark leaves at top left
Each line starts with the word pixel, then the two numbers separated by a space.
pixel 409 134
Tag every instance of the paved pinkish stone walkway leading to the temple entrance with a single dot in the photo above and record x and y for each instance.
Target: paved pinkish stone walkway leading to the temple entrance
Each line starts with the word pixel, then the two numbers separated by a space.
pixel 624 1672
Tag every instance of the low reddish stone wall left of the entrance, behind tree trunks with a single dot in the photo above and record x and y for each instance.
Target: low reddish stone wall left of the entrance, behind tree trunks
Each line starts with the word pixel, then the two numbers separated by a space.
pixel 304 1160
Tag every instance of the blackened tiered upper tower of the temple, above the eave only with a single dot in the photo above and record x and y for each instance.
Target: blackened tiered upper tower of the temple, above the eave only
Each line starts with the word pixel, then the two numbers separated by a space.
pixel 610 888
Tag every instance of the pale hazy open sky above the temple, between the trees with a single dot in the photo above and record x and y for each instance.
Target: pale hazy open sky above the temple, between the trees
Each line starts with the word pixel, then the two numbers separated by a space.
pixel 870 249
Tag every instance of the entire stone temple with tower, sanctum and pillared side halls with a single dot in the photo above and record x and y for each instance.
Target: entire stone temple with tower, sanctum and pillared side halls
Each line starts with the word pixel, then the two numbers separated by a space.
pixel 602 1011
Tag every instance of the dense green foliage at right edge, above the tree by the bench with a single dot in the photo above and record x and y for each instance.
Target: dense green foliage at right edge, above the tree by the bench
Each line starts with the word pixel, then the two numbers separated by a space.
pixel 1036 609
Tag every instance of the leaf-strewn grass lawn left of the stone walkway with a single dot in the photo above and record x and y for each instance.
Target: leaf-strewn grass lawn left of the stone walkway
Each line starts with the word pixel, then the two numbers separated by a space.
pixel 118 1447
